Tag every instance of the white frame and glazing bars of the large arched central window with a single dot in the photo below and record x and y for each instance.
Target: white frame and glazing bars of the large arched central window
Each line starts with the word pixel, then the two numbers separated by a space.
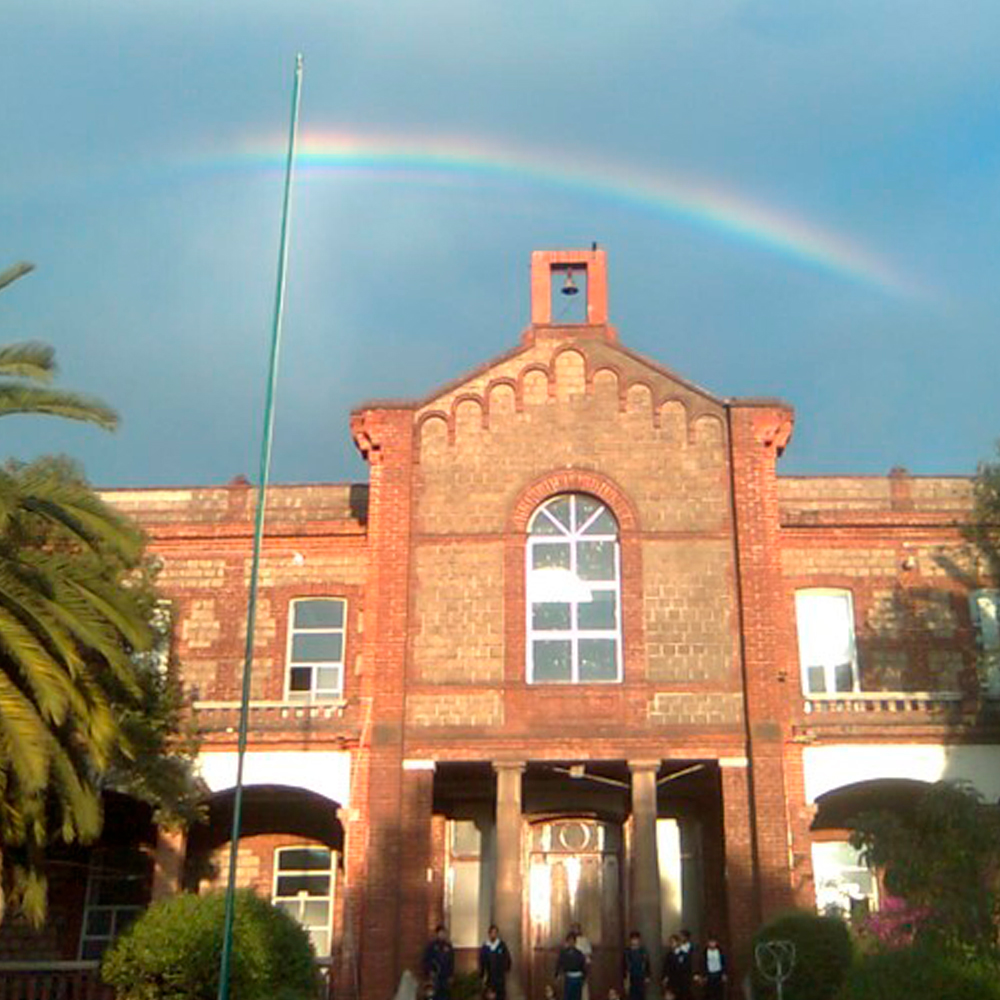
pixel 564 586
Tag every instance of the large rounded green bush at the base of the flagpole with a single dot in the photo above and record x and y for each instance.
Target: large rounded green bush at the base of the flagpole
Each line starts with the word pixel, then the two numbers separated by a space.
pixel 172 952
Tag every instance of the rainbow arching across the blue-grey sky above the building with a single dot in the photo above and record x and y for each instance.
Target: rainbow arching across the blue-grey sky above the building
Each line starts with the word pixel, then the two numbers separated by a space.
pixel 677 198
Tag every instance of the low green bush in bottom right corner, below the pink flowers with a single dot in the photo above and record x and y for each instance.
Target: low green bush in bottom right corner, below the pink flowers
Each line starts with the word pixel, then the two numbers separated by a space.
pixel 920 974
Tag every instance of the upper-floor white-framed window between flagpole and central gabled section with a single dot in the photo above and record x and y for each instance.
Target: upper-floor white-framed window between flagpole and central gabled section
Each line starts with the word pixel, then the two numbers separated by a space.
pixel 316 649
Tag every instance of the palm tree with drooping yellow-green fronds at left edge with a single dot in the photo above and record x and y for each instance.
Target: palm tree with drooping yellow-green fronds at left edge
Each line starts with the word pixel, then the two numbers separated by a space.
pixel 71 620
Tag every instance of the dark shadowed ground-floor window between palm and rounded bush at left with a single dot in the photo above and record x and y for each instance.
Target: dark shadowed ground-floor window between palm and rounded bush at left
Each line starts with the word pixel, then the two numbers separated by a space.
pixel 118 891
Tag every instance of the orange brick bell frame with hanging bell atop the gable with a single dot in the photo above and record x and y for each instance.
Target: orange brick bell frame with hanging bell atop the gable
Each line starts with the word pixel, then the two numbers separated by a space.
pixel 569 287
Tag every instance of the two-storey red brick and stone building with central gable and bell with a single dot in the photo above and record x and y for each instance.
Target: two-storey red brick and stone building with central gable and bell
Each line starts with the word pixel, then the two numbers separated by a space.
pixel 575 652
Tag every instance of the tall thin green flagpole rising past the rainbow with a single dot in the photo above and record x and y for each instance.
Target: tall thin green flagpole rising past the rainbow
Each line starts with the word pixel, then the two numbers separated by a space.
pixel 258 535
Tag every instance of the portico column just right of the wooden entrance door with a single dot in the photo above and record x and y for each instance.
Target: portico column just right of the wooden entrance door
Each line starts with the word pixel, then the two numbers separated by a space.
pixel 644 872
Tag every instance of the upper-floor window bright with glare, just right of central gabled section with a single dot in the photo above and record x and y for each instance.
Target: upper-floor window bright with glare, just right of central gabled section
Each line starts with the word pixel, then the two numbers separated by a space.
pixel 827 656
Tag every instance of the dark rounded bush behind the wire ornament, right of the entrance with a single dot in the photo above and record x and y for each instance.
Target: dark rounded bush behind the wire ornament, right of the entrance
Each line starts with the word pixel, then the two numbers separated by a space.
pixel 823 954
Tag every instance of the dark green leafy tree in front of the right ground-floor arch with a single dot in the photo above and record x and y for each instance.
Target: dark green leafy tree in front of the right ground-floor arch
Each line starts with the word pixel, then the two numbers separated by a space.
pixel 943 858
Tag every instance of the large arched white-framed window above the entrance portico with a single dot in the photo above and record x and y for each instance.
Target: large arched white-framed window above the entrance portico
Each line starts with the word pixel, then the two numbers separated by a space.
pixel 573 594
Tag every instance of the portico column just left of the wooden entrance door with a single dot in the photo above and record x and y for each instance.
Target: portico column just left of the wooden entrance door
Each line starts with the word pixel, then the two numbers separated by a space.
pixel 507 905
